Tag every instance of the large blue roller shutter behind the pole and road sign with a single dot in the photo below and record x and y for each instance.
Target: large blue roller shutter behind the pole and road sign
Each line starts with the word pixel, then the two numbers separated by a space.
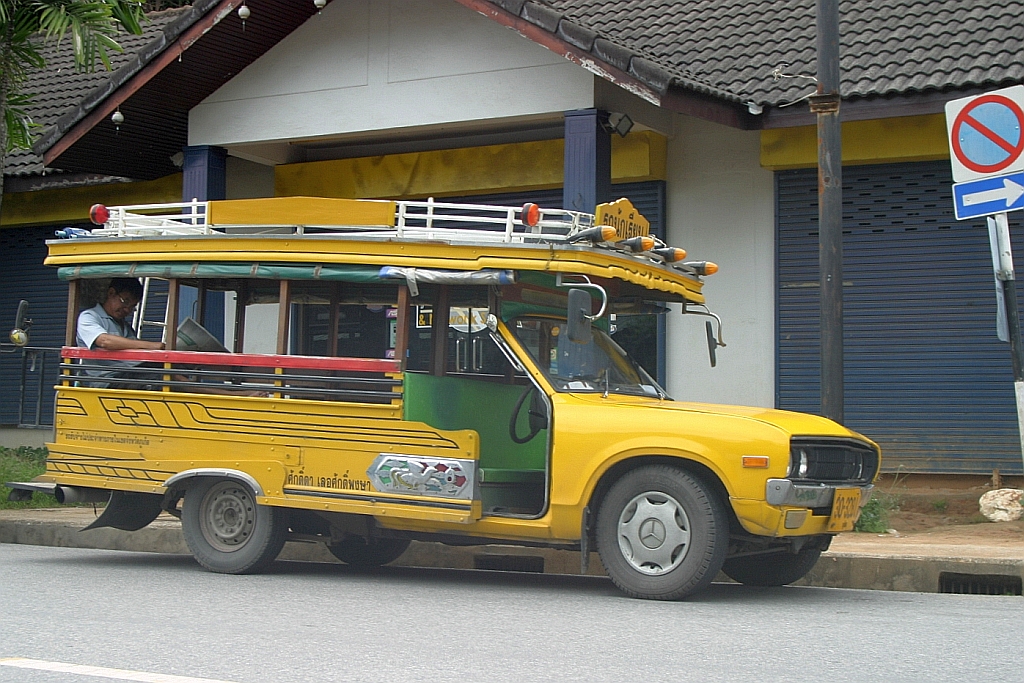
pixel 926 376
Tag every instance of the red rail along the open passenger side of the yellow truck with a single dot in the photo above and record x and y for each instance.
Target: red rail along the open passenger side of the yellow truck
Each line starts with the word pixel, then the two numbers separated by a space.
pixel 247 360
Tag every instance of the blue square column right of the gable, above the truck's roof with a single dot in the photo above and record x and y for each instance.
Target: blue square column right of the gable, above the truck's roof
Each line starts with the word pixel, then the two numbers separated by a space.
pixel 588 161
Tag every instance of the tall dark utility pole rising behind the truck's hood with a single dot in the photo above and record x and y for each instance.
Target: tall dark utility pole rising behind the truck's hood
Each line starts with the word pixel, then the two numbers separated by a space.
pixel 826 105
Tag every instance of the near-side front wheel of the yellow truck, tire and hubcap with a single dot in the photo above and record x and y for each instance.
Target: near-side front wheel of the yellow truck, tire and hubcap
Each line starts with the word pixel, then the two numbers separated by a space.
pixel 689 538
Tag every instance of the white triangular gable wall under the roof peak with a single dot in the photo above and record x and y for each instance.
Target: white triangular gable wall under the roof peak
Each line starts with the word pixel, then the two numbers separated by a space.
pixel 375 66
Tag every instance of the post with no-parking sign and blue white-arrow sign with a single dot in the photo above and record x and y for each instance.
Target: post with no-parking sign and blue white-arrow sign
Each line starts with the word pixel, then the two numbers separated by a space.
pixel 987 151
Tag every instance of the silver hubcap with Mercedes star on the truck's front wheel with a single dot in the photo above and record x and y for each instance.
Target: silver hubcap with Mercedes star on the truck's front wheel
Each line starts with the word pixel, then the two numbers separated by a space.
pixel 654 533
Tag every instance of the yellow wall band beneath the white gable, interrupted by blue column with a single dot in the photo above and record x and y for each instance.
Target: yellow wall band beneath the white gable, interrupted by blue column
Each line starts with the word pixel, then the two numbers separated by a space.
pixel 515 167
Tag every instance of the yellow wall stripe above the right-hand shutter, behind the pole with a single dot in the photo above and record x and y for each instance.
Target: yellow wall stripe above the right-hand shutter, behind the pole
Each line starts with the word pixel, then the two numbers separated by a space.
pixel 876 142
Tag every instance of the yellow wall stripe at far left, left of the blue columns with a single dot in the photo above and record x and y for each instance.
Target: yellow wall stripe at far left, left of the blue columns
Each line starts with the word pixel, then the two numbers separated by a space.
pixel 71 205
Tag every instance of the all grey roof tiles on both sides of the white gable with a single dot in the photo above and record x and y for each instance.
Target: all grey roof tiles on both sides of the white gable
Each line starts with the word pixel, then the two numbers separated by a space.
pixel 728 51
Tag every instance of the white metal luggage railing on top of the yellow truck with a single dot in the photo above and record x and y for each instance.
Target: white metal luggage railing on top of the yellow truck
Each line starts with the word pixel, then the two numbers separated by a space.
pixel 414 221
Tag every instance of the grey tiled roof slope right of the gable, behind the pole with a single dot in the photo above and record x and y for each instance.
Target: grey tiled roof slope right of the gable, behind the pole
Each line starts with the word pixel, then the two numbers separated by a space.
pixel 731 49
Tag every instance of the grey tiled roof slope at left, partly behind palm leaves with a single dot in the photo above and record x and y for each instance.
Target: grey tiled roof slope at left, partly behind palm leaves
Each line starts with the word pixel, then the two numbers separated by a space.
pixel 60 88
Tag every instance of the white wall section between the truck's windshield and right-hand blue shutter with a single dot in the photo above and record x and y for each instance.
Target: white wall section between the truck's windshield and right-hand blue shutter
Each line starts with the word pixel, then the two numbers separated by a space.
pixel 721 209
